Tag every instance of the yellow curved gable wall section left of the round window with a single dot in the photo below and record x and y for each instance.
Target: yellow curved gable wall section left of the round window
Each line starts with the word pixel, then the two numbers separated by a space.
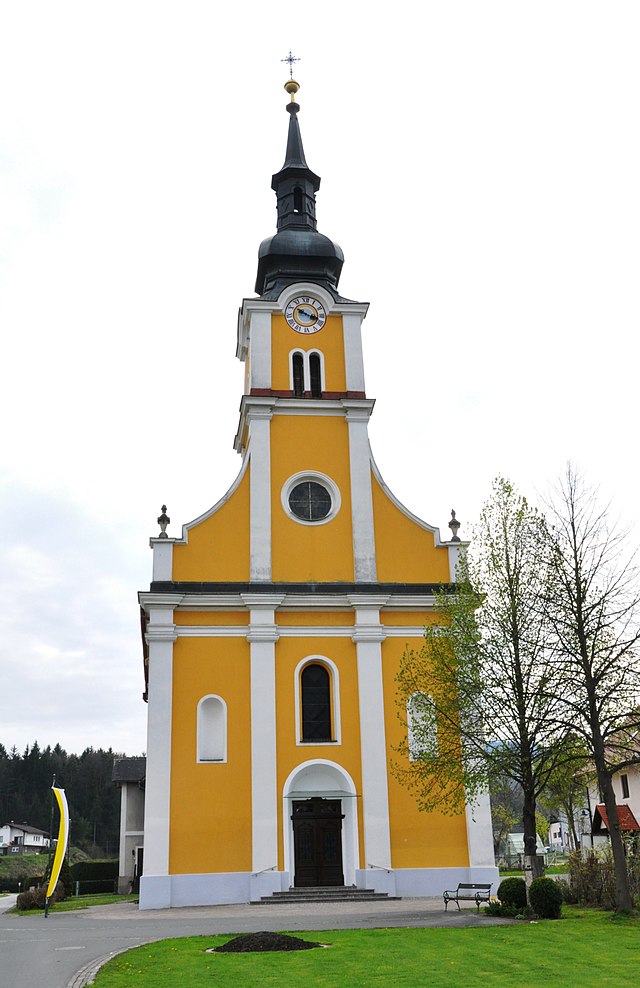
pixel 218 548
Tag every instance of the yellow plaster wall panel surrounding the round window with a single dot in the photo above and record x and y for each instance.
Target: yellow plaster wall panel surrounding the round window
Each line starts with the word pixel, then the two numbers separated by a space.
pixel 310 552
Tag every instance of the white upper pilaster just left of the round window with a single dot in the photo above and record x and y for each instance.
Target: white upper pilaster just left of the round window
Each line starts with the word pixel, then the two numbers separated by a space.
pixel 260 485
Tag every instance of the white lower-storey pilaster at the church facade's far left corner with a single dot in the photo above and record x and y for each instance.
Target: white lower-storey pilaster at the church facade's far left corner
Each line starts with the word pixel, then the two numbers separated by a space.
pixel 160 636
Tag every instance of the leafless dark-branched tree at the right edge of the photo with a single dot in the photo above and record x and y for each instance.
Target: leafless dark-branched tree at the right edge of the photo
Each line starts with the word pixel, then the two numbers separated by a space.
pixel 593 606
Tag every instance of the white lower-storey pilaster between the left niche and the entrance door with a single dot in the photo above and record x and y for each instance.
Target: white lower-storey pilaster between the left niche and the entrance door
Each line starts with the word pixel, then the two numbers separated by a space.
pixel 262 636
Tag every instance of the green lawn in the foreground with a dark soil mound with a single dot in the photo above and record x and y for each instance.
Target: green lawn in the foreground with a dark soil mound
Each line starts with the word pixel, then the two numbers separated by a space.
pixel 586 948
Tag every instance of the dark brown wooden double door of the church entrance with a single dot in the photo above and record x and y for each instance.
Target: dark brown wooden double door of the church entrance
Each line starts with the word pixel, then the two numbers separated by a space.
pixel 317 839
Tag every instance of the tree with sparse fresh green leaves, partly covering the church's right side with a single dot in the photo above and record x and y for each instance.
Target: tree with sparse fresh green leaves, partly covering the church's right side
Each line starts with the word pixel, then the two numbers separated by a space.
pixel 487 674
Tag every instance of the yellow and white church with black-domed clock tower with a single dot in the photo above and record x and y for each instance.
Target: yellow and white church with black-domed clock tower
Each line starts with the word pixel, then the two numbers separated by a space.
pixel 274 626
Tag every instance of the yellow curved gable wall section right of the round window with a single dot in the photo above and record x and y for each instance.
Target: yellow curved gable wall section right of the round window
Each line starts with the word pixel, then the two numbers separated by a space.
pixel 405 552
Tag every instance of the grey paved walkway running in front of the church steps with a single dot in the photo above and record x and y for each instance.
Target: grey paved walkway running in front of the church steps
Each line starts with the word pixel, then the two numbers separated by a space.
pixel 66 949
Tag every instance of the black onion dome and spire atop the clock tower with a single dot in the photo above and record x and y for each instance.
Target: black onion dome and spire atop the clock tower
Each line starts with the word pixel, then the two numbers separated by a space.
pixel 297 252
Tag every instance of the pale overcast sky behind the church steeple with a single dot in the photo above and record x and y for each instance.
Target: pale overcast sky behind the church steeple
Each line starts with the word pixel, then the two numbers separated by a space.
pixel 479 165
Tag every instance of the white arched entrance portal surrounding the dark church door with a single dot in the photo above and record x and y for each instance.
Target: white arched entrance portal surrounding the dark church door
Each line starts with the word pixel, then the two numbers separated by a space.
pixel 320 820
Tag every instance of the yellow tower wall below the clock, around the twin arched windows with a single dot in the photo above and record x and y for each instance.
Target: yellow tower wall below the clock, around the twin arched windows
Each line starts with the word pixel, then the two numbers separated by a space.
pixel 329 340
